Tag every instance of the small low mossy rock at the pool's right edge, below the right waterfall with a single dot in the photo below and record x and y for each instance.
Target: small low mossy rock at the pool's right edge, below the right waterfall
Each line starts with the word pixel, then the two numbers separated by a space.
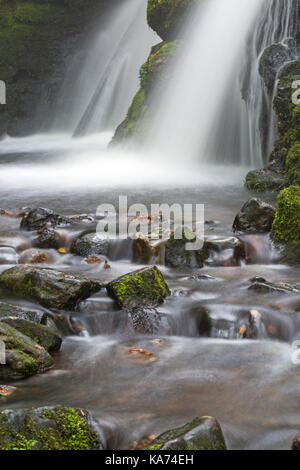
pixel 265 180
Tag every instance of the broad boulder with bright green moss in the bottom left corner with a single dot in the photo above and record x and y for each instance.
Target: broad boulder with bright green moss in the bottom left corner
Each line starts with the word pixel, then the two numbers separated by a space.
pixel 56 428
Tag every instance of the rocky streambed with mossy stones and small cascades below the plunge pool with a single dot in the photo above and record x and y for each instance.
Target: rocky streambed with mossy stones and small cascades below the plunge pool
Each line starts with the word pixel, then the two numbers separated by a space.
pixel 145 338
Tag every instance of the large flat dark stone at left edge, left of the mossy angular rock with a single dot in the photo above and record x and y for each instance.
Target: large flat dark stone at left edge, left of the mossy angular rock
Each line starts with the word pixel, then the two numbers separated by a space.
pixel 51 288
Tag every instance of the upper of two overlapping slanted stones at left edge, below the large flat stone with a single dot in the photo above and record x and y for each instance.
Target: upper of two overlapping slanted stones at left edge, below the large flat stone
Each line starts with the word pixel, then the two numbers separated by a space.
pixel 36 325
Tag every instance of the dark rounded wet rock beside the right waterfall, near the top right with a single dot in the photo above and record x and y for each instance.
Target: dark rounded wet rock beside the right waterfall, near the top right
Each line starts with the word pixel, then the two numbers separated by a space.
pixel 272 59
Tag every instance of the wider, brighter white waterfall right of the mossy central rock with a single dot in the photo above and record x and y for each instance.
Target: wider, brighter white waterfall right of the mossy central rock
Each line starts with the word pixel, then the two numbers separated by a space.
pixel 213 107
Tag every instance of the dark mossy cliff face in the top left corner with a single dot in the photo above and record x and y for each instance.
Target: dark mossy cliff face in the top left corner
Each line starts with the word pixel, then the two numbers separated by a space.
pixel 33 37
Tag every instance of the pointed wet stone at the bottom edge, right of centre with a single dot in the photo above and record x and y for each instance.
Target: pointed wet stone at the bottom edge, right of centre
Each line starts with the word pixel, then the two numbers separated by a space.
pixel 200 434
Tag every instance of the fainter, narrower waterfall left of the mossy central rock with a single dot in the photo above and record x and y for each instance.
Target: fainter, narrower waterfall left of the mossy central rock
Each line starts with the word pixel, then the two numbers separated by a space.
pixel 94 99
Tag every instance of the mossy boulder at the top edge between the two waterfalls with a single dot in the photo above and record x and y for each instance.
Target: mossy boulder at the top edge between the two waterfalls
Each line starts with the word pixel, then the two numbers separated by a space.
pixel 166 17
